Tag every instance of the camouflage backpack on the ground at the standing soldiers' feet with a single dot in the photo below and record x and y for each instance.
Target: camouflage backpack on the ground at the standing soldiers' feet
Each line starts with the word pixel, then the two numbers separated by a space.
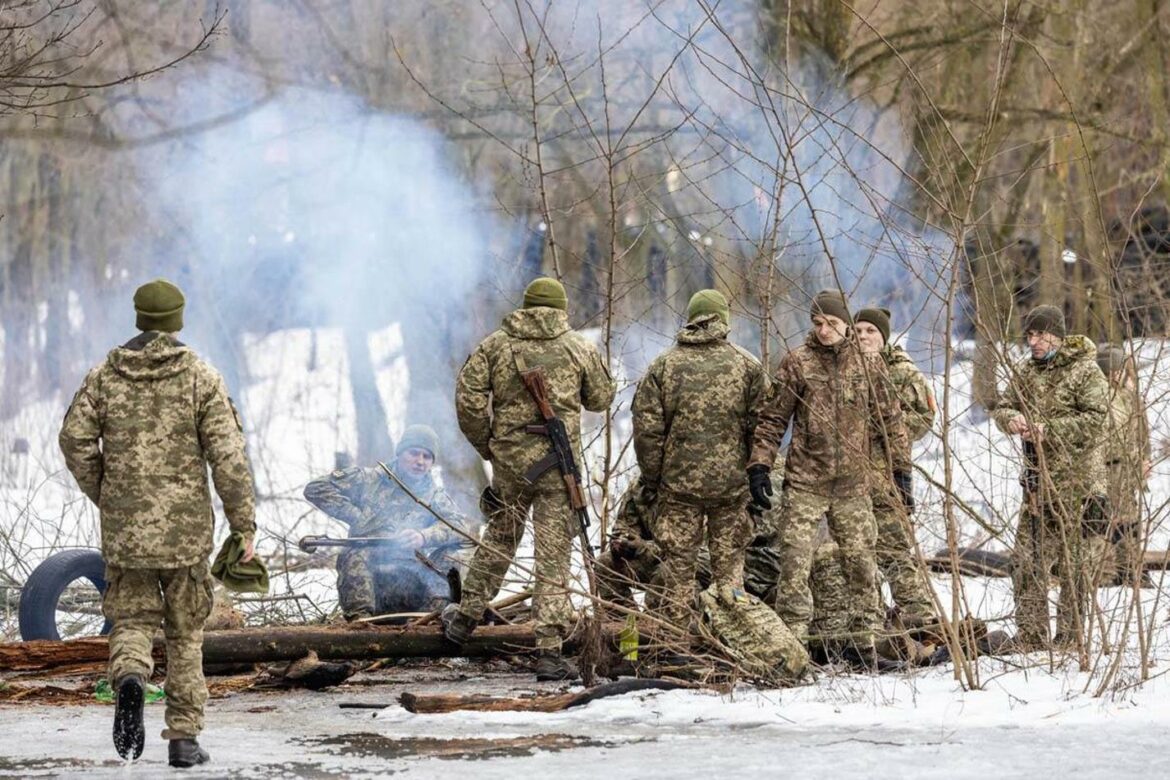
pixel 752 633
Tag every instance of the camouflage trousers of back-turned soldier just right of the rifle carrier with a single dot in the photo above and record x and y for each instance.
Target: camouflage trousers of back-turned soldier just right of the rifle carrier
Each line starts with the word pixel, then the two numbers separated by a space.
pixel 680 530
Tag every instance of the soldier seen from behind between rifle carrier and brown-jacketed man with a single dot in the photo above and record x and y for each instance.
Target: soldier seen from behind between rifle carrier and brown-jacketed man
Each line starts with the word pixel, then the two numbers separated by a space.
pixel 694 413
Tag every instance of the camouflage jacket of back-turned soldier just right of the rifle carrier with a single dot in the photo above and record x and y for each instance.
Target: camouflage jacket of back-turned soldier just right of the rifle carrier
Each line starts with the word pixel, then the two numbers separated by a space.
pixel 694 415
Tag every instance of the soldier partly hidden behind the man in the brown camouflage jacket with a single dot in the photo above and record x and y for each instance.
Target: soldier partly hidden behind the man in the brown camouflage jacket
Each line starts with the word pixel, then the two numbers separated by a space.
pixel 898 561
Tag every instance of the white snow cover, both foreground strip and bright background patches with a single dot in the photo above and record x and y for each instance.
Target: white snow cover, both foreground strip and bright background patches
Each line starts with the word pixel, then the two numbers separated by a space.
pixel 1028 719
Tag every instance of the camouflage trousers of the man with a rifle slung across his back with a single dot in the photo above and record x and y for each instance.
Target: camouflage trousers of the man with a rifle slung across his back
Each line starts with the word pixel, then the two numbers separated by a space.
pixel 553 517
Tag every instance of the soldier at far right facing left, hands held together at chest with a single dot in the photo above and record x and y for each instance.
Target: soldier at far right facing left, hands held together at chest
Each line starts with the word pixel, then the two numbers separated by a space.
pixel 1057 403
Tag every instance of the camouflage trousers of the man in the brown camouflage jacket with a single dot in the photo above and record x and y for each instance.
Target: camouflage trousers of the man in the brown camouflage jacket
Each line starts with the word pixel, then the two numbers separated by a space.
pixel 852 527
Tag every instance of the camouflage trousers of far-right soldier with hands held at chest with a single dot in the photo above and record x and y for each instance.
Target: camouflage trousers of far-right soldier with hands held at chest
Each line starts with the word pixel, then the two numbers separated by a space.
pixel 1048 543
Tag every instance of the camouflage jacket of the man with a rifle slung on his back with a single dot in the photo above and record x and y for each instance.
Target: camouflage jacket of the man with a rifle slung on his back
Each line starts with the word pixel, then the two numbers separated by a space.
pixel 492 404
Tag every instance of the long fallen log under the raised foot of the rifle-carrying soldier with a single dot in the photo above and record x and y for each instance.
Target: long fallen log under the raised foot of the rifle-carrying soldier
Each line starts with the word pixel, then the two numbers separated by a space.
pixel 290 644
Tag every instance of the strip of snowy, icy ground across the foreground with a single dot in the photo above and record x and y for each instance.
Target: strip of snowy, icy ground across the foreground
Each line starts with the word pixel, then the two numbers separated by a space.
pixel 1024 724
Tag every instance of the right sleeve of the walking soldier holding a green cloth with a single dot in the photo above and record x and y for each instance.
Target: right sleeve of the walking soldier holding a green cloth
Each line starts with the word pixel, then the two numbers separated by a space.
pixel 222 438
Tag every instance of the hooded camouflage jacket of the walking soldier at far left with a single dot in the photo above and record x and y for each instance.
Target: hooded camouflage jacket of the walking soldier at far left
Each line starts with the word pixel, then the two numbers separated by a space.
pixel 140 437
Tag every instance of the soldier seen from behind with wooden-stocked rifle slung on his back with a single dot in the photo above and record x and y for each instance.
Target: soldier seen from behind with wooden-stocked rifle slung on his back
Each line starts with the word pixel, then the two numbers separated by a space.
pixel 494 411
